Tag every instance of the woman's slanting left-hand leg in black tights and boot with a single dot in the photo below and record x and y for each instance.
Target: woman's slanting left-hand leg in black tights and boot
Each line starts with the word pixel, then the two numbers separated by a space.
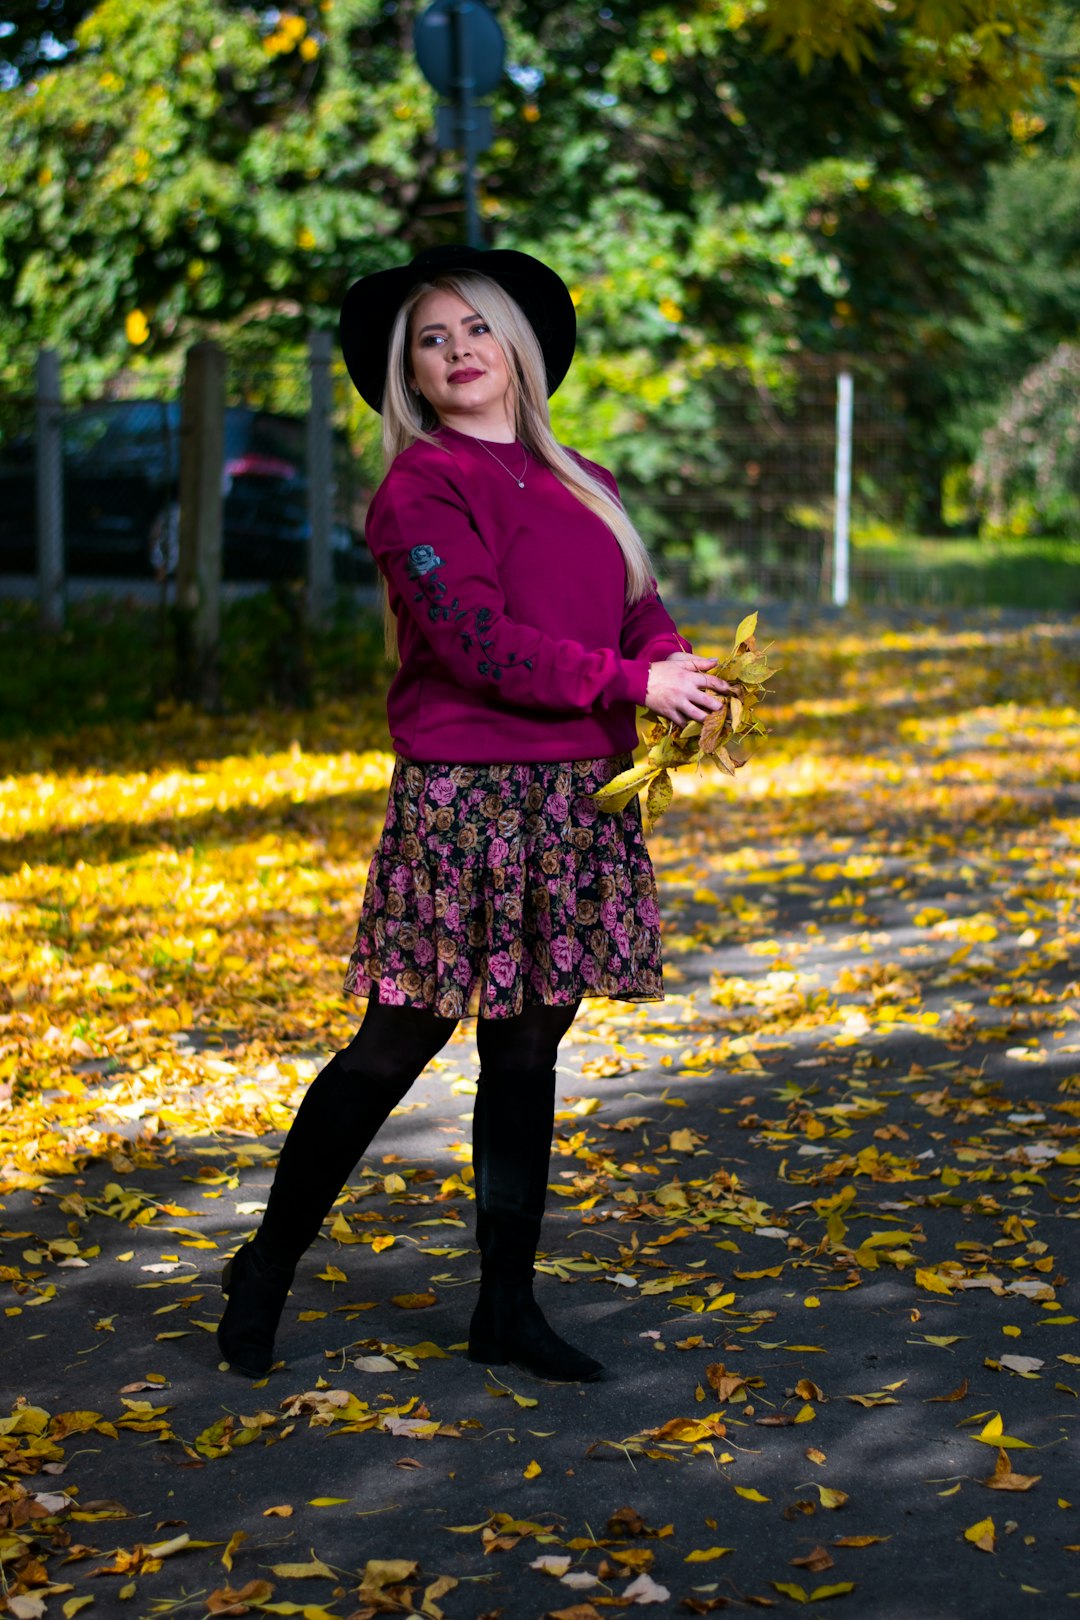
pixel 341 1114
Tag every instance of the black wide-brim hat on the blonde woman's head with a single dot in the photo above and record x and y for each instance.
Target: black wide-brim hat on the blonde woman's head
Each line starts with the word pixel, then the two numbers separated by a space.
pixel 373 302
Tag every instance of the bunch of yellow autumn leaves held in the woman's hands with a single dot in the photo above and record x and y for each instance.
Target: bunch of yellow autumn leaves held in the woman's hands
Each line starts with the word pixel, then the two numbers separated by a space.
pixel 726 738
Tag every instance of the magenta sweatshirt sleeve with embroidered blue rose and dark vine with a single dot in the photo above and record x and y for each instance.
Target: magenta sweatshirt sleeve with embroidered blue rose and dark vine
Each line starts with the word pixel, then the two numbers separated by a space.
pixel 436 565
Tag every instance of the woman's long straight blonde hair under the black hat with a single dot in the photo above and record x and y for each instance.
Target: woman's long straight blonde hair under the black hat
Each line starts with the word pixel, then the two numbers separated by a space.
pixel 407 417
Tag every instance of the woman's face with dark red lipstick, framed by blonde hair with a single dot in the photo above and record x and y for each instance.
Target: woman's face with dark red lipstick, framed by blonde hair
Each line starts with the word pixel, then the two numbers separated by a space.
pixel 459 369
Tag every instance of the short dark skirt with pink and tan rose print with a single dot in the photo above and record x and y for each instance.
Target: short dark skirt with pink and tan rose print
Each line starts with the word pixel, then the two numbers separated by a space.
pixel 501 887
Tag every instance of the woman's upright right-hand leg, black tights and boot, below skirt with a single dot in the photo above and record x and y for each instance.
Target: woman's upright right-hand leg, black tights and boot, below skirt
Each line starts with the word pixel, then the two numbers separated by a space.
pixel 512 1130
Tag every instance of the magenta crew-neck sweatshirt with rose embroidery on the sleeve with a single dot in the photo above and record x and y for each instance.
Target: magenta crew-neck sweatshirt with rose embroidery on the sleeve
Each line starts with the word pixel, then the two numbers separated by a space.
pixel 517 644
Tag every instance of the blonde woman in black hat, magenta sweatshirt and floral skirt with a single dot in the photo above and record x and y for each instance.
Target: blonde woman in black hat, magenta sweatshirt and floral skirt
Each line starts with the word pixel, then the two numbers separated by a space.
pixel 529 628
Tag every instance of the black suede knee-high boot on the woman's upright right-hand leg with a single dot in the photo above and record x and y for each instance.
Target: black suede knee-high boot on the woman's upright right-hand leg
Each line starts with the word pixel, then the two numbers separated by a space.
pixel 512 1125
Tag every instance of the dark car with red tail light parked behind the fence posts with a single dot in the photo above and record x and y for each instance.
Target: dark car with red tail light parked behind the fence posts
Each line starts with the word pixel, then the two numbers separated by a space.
pixel 121 497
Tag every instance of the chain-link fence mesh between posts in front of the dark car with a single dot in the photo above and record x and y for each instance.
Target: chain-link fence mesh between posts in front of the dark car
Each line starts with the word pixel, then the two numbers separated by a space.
pixel 117 466
